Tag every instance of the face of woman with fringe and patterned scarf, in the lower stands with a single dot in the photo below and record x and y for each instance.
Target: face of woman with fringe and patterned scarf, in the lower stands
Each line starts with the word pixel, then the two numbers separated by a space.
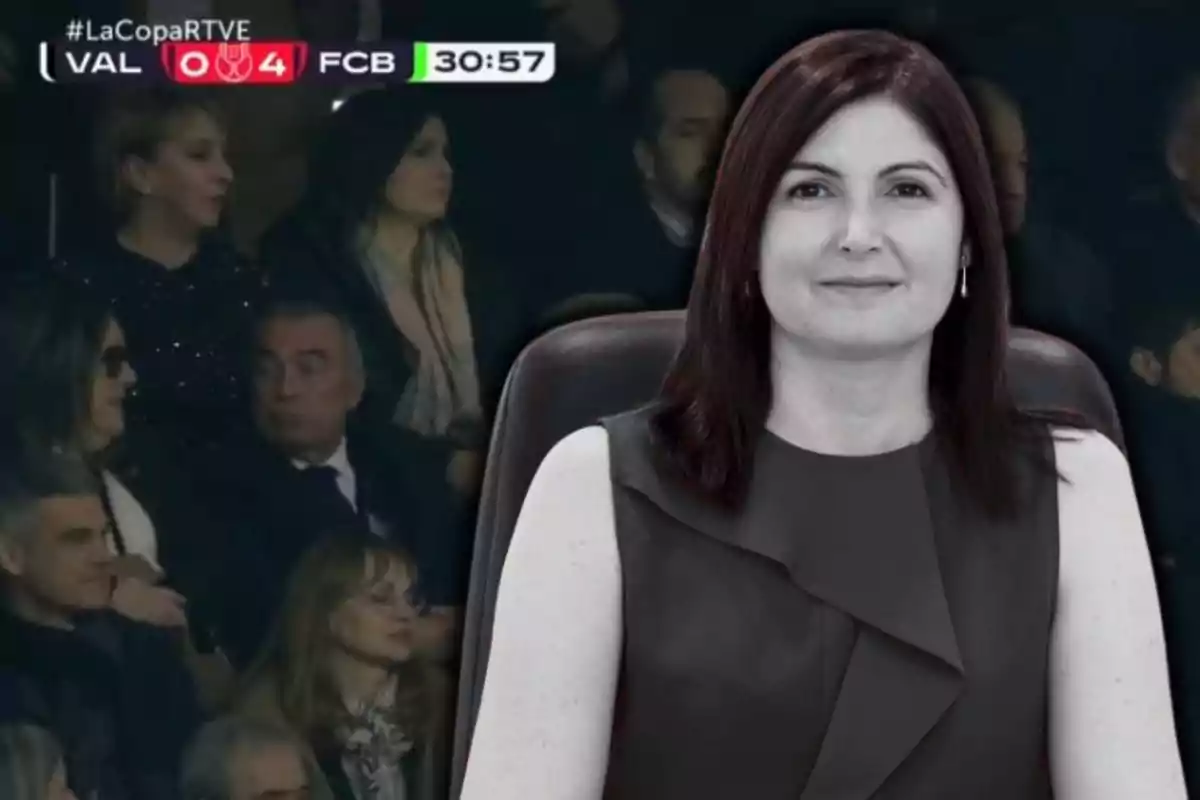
pixel 376 623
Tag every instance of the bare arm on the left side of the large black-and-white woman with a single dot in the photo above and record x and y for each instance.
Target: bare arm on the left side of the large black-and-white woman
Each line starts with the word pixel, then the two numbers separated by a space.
pixel 545 720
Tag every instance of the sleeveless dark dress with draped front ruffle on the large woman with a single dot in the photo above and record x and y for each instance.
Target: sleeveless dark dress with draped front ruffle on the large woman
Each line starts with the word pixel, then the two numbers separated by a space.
pixel 854 633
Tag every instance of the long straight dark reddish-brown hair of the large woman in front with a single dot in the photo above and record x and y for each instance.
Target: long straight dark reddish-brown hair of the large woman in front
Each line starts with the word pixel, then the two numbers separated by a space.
pixel 717 395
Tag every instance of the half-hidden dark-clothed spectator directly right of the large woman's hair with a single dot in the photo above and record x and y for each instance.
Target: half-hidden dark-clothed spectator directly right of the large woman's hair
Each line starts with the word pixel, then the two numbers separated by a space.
pixel 1060 286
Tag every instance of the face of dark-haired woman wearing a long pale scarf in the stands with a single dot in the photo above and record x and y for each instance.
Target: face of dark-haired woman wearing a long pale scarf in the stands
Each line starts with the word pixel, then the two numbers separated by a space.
pixel 419 188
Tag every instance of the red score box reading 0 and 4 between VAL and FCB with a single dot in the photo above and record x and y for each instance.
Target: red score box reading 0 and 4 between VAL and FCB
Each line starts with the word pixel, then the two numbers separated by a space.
pixel 233 63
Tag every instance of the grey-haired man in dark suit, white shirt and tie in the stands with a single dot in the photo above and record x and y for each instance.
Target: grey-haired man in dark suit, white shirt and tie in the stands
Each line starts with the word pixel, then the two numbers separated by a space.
pixel 311 471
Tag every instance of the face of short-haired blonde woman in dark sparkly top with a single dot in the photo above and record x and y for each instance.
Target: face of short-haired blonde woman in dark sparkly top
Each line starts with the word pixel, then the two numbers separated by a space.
pixel 189 178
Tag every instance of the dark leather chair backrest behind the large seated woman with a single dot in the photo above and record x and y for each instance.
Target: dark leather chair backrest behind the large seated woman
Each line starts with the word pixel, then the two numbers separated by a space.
pixel 575 375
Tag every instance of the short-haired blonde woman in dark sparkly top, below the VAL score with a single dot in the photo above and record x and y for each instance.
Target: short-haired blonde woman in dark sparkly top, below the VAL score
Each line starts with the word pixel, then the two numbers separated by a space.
pixel 181 292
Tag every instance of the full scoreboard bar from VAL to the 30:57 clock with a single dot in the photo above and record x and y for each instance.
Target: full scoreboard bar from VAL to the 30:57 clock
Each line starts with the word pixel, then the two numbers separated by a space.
pixel 286 63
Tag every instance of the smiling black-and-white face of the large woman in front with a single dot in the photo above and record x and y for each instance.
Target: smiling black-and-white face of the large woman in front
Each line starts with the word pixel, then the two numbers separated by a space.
pixel 862 242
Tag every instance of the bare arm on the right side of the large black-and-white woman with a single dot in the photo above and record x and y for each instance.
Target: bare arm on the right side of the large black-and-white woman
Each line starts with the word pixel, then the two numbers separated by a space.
pixel 1112 724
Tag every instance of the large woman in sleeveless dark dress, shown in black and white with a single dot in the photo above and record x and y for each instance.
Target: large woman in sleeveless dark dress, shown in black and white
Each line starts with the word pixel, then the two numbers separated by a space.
pixel 833 560
